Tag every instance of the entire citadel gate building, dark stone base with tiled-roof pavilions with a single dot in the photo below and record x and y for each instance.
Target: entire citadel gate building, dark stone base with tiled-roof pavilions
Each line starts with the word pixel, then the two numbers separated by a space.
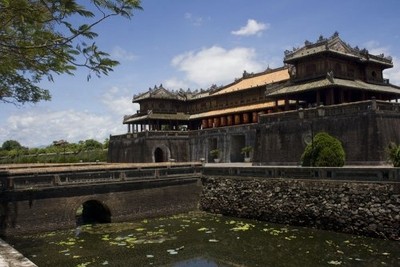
pixel 323 86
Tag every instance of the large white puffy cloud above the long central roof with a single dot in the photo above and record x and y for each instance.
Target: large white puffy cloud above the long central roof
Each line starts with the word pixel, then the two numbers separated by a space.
pixel 216 65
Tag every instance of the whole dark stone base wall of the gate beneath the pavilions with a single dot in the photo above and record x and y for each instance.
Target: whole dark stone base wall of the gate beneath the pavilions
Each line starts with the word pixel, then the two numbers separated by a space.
pixel 365 129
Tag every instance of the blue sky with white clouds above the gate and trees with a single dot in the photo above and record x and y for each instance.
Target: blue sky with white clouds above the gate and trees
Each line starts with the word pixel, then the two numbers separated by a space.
pixel 193 44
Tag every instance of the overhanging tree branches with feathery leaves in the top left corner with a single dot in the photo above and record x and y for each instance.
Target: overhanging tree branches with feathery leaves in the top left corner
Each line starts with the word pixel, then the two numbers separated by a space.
pixel 42 38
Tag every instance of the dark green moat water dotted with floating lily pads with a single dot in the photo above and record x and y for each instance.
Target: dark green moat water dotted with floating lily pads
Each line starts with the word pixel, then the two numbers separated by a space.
pixel 203 239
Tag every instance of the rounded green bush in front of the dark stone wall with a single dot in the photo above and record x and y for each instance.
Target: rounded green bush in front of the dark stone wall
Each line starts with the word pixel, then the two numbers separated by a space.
pixel 324 151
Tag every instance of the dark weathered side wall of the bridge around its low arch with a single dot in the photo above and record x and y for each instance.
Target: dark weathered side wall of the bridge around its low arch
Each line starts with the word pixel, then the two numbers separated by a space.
pixel 52 209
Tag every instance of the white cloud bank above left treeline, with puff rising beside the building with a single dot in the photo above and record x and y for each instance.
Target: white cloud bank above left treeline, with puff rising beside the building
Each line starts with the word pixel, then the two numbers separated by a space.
pixel 36 126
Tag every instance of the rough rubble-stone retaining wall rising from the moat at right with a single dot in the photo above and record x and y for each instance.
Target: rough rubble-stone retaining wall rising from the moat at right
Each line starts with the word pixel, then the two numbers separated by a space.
pixel 363 208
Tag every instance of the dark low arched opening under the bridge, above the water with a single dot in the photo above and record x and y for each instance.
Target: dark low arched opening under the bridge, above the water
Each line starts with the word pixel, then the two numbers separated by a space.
pixel 92 212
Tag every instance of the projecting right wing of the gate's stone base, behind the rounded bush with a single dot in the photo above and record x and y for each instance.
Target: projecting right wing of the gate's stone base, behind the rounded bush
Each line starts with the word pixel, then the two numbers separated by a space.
pixel 364 128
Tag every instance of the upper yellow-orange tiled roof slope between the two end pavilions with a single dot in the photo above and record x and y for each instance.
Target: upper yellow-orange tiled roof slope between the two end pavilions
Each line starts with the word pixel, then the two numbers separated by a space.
pixel 259 80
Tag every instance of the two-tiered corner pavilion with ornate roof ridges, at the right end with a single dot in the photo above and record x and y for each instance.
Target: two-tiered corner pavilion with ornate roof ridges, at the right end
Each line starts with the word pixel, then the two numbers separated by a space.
pixel 330 72
